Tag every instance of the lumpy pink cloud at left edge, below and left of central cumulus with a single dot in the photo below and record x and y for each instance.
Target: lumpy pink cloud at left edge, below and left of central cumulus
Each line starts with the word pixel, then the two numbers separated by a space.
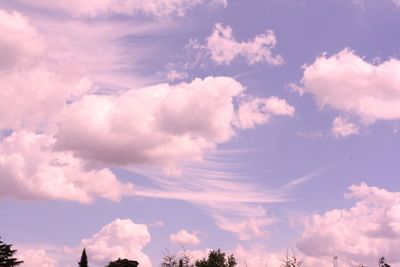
pixel 30 169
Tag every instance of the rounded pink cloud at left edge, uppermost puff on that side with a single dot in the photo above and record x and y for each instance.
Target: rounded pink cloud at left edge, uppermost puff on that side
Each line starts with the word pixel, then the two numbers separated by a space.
pixel 20 43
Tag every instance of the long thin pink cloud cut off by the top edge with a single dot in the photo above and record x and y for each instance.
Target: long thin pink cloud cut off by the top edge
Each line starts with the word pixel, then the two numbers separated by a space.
pixel 158 8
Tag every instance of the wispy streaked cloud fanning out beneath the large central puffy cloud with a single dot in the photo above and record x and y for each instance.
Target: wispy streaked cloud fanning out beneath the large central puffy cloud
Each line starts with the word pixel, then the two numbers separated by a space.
pixel 232 199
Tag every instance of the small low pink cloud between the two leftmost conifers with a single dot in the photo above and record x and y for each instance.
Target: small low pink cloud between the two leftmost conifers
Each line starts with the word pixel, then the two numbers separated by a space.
pixel 36 257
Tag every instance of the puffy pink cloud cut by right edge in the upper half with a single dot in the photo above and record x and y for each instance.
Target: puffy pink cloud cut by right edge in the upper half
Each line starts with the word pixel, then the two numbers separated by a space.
pixel 348 83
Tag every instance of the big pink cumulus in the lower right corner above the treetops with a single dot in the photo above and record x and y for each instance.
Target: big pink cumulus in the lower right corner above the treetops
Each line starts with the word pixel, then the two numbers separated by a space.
pixel 363 233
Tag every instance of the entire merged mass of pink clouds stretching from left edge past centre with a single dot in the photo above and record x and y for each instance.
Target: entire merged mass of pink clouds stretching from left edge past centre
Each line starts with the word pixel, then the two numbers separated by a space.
pixel 59 137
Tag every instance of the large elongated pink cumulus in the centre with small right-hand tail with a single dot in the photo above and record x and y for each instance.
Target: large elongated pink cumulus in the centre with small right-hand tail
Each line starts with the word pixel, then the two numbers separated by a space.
pixel 162 124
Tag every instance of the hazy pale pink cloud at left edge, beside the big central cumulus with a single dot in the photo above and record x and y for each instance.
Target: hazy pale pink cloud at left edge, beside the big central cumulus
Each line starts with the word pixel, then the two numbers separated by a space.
pixel 34 101
